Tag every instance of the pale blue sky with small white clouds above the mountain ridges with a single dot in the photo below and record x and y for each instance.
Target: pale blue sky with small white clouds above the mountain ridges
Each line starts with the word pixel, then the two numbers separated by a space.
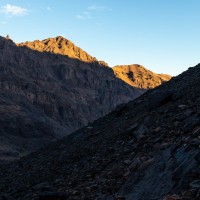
pixel 162 35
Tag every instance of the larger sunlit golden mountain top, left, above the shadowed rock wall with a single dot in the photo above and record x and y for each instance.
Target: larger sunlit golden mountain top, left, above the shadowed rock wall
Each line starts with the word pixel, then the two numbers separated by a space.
pixel 60 45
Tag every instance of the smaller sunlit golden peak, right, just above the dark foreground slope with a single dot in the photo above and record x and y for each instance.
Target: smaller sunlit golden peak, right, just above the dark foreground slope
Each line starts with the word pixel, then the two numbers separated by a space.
pixel 140 77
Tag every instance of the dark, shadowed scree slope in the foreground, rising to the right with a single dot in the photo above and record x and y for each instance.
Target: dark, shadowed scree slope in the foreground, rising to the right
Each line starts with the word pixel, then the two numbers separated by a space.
pixel 148 149
